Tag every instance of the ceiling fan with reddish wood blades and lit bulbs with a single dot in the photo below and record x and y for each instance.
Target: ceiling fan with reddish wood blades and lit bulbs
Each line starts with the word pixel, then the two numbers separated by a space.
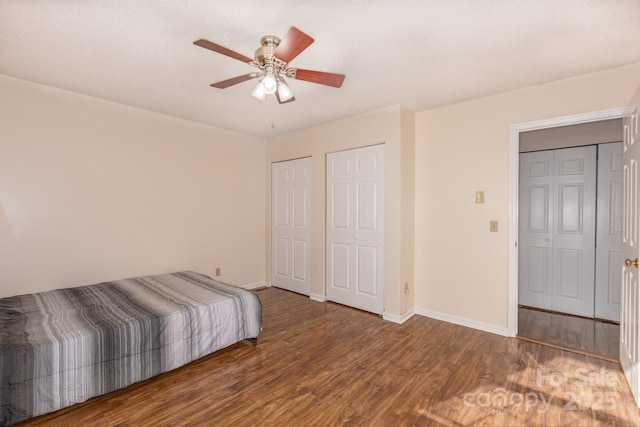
pixel 272 59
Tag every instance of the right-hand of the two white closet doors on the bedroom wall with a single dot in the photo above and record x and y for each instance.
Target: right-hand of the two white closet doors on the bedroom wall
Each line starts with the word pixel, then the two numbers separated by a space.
pixel 355 232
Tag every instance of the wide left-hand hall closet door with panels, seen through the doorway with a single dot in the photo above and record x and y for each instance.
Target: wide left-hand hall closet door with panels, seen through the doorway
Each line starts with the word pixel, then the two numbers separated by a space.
pixel 557 231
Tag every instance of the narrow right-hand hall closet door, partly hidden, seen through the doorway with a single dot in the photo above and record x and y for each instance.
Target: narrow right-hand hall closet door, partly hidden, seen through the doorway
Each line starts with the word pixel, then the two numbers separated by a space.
pixel 609 232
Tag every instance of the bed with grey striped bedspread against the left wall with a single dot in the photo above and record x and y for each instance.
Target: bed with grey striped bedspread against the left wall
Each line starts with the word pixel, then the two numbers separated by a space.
pixel 65 346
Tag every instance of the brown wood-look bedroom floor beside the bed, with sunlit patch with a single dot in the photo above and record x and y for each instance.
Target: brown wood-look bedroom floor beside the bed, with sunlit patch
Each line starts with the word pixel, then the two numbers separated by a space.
pixel 325 364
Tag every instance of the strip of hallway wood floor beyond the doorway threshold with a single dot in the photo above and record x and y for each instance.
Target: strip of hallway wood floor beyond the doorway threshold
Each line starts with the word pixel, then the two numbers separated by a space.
pixel 589 336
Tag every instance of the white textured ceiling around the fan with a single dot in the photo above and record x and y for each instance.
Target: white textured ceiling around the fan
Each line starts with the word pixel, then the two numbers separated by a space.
pixel 418 53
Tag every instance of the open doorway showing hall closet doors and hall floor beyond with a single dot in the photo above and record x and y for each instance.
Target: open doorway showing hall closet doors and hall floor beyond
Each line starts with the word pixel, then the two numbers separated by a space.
pixel 569 199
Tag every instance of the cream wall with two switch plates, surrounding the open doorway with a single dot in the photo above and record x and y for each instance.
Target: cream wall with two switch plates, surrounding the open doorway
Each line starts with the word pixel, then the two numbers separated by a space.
pixel 462 268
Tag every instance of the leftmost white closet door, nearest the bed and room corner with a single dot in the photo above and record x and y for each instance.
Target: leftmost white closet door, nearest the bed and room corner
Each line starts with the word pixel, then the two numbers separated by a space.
pixel 291 225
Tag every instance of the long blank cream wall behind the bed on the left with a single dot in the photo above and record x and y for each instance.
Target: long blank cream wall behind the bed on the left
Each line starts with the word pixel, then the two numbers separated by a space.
pixel 93 191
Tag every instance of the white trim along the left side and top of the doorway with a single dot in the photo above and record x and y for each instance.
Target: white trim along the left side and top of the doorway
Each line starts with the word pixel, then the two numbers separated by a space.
pixel 514 165
